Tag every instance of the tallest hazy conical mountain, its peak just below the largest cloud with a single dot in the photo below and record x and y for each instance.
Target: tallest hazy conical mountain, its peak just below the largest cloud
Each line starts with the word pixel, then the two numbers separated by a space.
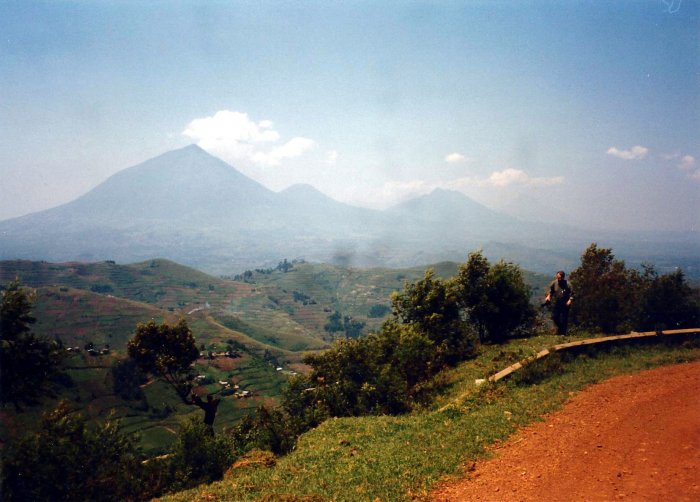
pixel 181 186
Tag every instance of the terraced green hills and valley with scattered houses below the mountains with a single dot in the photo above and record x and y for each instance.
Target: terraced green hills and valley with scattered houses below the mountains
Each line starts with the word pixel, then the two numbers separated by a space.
pixel 276 315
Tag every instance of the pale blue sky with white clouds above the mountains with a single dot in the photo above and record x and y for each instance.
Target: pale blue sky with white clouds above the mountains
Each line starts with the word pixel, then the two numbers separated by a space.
pixel 579 112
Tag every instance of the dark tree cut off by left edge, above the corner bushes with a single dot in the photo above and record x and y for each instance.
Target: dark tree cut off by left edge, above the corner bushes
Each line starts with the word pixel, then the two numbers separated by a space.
pixel 28 363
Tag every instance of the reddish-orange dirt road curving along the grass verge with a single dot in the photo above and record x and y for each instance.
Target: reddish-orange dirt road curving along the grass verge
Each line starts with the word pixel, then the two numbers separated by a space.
pixel 633 437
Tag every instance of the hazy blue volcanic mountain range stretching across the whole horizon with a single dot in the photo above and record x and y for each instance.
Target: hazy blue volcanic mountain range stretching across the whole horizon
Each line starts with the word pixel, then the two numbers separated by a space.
pixel 191 207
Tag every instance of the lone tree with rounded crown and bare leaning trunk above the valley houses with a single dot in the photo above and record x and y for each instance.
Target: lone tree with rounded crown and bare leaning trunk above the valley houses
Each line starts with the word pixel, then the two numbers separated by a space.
pixel 169 352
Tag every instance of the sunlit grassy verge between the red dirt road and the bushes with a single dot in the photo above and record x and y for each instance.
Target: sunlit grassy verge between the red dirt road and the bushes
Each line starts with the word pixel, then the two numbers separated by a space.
pixel 401 458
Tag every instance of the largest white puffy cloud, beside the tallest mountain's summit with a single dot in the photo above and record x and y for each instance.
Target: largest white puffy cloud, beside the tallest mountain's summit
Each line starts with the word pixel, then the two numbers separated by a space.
pixel 234 136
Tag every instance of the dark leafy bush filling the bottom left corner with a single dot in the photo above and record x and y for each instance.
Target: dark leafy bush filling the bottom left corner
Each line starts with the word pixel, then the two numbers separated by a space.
pixel 68 460
